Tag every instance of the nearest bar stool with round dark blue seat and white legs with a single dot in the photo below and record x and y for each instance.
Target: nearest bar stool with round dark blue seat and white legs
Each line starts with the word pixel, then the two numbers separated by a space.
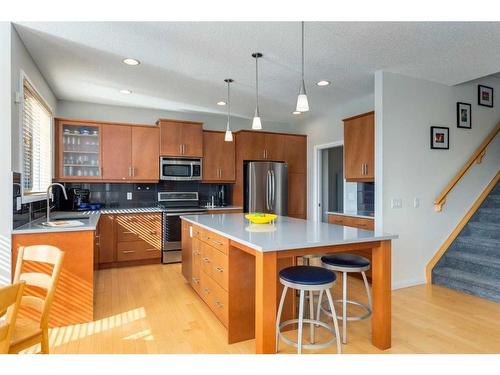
pixel 307 278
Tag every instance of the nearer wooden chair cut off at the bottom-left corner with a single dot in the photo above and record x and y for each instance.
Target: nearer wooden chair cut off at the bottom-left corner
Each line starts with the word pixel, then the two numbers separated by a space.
pixel 10 299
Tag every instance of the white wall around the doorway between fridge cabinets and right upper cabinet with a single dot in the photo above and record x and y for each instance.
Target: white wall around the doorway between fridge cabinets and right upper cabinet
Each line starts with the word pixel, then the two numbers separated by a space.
pixel 327 129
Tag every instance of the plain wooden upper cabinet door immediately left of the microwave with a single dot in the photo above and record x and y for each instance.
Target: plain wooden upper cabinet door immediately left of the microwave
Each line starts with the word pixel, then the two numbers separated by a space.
pixel 145 153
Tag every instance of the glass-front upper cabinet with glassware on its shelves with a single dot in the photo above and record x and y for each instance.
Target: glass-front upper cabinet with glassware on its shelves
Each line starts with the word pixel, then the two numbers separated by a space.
pixel 79 151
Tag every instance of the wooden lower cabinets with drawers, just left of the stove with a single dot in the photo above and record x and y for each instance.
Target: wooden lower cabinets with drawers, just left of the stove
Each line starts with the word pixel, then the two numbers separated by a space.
pixel 129 239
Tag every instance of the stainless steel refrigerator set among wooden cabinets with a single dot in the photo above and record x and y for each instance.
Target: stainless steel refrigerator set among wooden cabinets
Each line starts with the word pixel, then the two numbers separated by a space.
pixel 266 187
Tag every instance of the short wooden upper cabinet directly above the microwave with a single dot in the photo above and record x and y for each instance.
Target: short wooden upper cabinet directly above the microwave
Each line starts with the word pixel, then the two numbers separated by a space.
pixel 181 138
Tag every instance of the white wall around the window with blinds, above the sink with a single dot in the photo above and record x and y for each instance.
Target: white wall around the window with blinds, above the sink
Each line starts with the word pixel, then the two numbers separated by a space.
pixel 22 62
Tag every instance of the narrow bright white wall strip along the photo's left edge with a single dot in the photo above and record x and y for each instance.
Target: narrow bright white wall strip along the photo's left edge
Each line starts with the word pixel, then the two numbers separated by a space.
pixel 5 157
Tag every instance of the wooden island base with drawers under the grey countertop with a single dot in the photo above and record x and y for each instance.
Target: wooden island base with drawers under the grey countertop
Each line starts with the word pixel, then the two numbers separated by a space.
pixel 224 276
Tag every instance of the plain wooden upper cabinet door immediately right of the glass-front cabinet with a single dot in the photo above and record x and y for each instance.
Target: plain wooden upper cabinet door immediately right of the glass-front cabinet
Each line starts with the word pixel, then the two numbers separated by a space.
pixel 116 152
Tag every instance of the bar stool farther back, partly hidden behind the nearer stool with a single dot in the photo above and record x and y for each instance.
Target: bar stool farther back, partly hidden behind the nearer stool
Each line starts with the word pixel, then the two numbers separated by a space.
pixel 347 263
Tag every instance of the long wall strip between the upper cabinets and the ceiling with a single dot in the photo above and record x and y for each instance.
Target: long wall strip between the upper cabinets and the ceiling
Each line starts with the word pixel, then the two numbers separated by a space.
pixel 102 112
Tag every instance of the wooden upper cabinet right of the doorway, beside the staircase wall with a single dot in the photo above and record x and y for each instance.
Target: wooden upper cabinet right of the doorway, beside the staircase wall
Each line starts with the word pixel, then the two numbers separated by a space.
pixel 359 148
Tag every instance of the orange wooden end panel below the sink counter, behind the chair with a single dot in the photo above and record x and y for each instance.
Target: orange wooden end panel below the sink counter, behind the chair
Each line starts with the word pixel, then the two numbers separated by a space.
pixel 74 298
